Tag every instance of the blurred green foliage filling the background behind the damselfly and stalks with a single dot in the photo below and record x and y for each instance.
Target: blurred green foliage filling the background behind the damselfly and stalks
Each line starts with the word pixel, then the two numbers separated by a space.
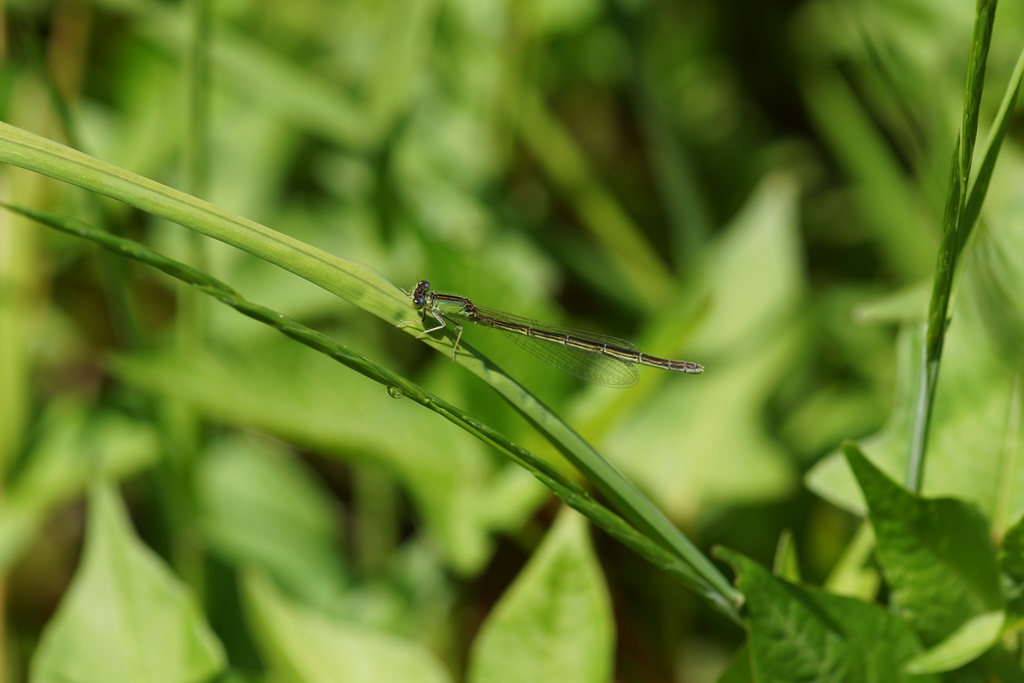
pixel 755 187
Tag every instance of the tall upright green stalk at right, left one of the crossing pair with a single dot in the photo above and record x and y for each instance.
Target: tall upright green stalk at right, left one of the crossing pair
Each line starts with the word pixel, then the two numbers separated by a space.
pixel 954 236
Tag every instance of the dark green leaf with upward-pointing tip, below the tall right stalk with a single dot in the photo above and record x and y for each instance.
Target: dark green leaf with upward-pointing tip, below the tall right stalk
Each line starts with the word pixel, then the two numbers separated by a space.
pixel 935 554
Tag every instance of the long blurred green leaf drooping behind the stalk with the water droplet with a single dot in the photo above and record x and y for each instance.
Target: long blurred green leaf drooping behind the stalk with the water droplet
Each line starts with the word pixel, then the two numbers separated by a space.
pixel 308 400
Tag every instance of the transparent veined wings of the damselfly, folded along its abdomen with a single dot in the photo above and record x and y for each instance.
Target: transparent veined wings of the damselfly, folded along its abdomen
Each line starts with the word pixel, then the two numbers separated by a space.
pixel 593 368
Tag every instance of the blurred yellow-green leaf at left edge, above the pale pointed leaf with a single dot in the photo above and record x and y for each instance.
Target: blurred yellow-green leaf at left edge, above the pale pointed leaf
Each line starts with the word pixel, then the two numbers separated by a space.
pixel 75 446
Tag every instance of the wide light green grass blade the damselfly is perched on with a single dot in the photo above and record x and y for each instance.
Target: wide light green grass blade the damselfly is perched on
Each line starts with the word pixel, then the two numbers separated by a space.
pixel 368 289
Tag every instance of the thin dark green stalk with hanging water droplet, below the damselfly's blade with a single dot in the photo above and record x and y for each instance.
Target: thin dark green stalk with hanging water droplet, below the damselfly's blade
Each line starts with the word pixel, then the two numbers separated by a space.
pixel 570 492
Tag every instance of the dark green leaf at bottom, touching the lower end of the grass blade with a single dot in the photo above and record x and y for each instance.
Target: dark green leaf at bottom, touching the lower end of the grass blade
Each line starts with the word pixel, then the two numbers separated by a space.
pixel 798 634
